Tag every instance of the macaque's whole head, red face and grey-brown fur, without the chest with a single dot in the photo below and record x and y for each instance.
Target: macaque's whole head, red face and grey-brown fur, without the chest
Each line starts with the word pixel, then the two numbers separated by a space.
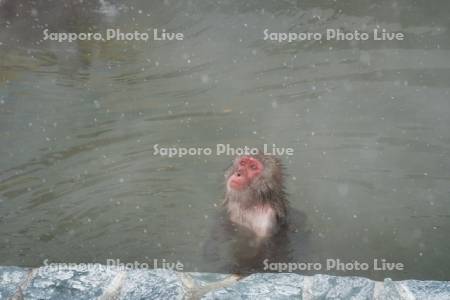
pixel 255 172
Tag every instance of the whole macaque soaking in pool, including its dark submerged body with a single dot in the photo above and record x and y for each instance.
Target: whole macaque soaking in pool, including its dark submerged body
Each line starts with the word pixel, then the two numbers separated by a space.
pixel 255 222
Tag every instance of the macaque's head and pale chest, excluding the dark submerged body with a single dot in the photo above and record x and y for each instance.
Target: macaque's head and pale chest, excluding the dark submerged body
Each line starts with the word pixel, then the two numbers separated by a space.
pixel 255 198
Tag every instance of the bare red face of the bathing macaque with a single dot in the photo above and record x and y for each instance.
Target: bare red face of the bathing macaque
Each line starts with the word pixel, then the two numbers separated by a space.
pixel 245 171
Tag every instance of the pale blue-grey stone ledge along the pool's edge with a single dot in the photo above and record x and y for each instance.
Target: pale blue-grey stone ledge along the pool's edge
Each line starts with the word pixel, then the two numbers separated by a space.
pixel 101 282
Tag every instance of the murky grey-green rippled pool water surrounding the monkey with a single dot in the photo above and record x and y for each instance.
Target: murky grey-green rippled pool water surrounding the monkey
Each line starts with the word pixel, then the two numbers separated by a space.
pixel 368 121
